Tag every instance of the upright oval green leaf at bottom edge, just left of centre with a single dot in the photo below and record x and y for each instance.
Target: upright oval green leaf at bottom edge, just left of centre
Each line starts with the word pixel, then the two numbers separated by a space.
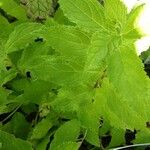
pixel 67 133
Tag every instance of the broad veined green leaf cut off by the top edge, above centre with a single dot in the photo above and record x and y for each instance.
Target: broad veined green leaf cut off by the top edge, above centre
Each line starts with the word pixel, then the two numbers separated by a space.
pixel 86 13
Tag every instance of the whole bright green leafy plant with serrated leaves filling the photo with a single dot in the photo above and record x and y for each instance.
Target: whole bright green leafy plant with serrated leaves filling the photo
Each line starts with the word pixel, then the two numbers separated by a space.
pixel 75 80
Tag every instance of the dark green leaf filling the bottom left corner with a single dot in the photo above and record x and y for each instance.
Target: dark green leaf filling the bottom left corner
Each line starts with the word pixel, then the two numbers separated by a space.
pixel 8 141
